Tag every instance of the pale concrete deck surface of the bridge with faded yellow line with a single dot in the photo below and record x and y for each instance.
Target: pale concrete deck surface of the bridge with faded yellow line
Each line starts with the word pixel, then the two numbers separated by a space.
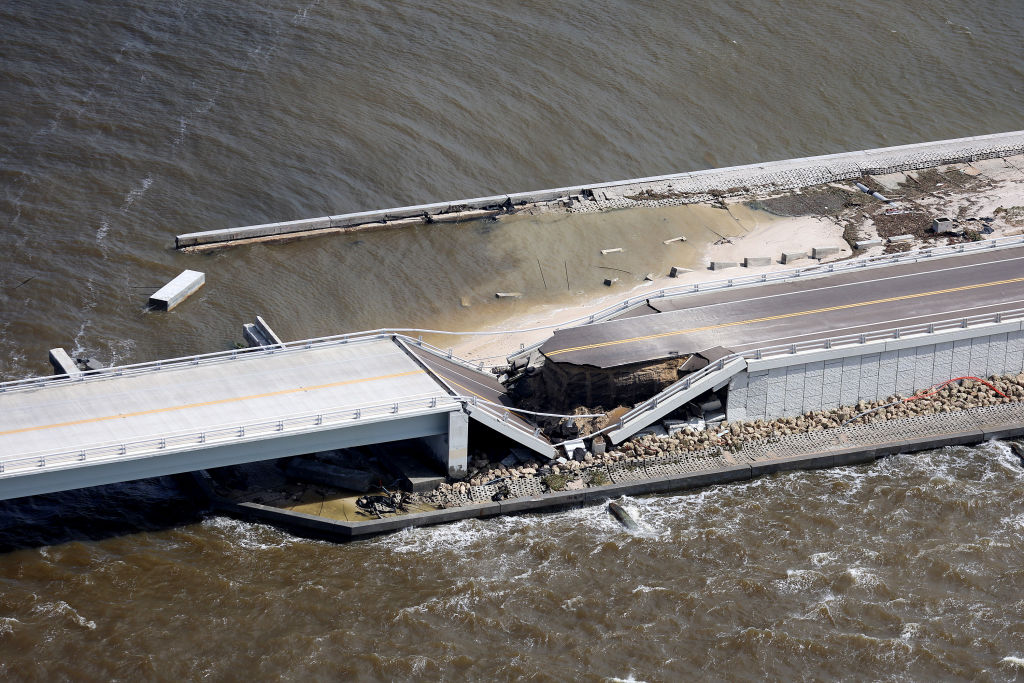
pixel 61 416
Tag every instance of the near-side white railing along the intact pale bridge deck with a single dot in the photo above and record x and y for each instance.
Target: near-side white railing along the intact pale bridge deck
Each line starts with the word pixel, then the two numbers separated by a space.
pixel 222 436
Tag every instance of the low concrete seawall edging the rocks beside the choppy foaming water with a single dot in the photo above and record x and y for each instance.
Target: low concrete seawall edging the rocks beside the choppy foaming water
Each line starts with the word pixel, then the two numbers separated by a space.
pixel 831 448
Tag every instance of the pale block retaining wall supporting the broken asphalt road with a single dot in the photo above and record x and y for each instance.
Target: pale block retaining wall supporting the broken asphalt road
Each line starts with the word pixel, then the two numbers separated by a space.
pixel 791 386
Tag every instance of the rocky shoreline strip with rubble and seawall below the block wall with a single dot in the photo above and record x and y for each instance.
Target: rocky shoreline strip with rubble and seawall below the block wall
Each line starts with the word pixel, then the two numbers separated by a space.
pixel 660 462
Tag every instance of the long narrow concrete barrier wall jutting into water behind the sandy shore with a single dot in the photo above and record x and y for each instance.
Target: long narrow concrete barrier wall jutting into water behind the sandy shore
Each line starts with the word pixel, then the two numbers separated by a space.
pixel 780 175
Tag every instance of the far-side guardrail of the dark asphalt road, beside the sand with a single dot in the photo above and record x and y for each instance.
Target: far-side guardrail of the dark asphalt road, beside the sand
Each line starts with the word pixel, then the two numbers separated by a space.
pixel 785 276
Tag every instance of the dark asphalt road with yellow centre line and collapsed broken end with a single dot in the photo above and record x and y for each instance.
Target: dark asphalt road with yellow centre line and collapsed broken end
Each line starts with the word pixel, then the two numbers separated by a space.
pixel 851 303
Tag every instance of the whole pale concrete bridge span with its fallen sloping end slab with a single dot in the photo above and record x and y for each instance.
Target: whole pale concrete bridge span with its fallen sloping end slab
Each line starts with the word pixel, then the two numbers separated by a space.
pixel 226 409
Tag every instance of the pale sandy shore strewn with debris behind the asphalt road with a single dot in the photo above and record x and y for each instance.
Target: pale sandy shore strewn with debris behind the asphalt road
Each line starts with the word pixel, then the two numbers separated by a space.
pixel 998 196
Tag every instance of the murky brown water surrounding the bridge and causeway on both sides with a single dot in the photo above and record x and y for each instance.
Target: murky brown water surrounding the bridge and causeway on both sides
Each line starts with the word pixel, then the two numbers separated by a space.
pixel 127 123
